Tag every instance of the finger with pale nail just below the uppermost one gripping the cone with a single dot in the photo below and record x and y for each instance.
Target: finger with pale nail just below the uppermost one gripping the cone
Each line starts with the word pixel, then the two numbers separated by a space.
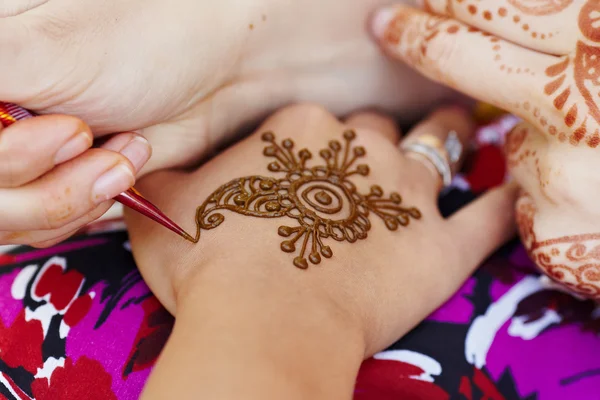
pixel 72 189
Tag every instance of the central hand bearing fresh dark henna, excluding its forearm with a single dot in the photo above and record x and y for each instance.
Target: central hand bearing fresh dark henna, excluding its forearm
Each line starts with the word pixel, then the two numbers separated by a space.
pixel 312 205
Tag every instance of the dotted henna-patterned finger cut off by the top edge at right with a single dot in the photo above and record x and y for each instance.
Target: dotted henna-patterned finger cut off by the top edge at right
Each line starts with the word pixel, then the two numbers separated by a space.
pixel 546 26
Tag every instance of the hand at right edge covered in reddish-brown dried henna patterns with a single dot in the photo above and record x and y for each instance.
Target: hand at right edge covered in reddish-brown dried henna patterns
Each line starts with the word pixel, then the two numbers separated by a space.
pixel 539 60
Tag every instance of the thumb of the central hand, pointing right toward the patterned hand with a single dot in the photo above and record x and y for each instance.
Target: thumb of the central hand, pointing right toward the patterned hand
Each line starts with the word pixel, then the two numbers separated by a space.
pixel 486 224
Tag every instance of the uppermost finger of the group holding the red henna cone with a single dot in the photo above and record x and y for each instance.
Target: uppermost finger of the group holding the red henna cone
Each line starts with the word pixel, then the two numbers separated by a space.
pixel 57 139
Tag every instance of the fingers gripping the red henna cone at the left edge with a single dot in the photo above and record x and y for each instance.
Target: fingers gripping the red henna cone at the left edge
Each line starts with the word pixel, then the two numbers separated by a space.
pixel 52 183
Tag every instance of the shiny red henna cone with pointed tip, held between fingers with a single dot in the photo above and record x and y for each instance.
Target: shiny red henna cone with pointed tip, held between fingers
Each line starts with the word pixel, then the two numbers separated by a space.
pixel 11 113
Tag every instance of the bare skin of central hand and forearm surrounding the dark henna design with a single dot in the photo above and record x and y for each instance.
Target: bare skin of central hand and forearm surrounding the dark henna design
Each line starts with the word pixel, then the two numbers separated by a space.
pixel 305 331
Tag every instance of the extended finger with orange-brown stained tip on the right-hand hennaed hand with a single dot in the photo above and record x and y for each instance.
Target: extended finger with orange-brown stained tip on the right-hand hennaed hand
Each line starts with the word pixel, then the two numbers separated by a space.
pixel 498 72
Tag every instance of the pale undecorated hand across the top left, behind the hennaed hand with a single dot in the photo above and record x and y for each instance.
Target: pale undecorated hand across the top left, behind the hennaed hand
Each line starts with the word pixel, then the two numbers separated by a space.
pixel 187 74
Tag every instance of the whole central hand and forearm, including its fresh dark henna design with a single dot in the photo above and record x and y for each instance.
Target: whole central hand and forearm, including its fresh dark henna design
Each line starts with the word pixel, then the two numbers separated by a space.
pixel 332 260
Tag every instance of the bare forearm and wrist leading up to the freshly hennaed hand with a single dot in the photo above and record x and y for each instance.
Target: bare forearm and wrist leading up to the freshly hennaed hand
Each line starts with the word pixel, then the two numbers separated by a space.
pixel 255 338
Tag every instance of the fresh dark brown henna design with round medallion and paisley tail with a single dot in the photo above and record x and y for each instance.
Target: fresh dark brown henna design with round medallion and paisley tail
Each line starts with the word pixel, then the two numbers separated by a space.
pixel 321 199
